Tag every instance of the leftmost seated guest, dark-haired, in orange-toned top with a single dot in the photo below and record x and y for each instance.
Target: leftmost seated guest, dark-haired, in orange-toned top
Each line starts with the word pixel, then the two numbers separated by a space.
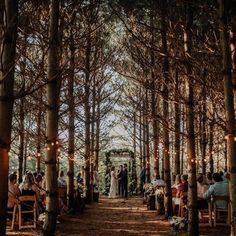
pixel 13 191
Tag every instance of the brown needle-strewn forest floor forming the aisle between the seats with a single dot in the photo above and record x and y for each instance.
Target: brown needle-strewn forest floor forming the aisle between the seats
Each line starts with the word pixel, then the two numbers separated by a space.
pixel 118 217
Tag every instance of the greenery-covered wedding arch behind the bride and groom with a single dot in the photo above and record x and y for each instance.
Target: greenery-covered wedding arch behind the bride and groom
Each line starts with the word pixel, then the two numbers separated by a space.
pixel 117 157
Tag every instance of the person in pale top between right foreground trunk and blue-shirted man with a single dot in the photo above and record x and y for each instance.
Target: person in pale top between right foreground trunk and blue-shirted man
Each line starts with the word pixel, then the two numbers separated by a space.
pixel 202 187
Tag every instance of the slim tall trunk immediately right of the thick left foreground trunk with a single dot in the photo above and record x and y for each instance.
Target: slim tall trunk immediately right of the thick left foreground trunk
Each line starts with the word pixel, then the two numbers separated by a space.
pixel 71 143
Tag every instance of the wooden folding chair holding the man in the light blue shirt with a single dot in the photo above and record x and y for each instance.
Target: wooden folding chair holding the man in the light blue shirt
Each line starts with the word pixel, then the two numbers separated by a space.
pixel 217 212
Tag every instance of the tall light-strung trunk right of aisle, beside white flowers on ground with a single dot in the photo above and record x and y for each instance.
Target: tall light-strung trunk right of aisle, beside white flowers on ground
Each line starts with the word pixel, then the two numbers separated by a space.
pixel 193 228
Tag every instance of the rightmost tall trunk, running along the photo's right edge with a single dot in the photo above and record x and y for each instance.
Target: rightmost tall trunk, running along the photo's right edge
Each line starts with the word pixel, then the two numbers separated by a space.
pixel 229 103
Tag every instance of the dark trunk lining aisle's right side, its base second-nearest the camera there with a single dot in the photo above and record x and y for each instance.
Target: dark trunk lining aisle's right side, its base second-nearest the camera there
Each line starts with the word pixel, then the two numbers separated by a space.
pixel 165 68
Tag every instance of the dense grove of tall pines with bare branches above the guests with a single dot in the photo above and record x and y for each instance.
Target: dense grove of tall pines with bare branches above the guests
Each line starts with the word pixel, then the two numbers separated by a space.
pixel 72 70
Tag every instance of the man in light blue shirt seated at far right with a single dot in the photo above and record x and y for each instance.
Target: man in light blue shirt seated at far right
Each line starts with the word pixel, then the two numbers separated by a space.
pixel 219 188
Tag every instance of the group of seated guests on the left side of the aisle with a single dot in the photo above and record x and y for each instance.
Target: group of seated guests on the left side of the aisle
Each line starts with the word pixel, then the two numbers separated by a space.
pixel 34 184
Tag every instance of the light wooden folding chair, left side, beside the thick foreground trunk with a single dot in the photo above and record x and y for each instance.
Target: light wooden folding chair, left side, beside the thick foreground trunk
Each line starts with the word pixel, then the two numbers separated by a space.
pixel 27 200
